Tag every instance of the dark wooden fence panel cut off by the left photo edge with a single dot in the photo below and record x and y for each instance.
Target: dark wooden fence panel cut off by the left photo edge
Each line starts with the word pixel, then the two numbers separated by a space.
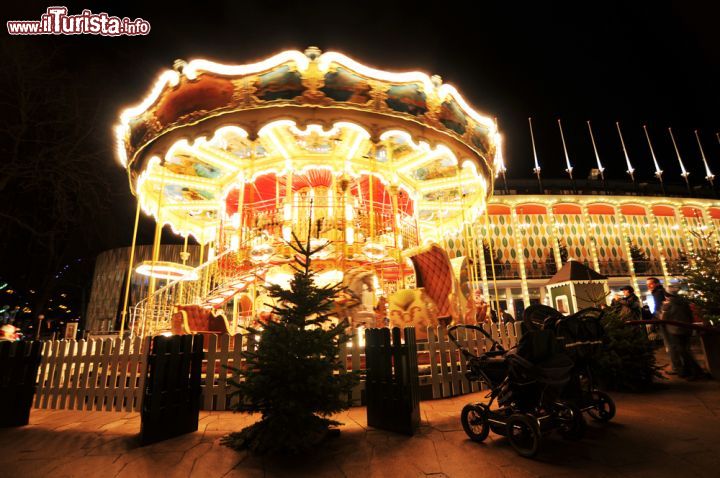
pixel 19 362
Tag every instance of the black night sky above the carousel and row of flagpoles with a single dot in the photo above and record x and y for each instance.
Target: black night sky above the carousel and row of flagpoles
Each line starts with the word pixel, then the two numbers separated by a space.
pixel 656 62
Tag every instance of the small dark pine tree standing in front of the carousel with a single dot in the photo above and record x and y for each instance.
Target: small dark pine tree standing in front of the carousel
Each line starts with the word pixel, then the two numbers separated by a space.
pixel 294 378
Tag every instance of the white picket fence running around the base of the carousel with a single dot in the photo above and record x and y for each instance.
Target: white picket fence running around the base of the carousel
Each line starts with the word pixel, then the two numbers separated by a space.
pixel 110 374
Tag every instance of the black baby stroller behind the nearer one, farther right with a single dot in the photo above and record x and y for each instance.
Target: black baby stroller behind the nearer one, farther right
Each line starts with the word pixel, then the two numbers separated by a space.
pixel 581 336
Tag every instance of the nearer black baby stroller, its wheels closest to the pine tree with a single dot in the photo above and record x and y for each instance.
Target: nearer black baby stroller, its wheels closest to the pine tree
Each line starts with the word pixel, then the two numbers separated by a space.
pixel 527 386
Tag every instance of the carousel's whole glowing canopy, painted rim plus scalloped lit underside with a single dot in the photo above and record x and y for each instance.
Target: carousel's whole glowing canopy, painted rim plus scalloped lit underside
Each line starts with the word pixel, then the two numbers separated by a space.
pixel 208 131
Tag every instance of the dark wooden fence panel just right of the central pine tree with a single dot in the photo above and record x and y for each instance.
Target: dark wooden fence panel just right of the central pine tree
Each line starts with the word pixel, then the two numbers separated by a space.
pixel 392 389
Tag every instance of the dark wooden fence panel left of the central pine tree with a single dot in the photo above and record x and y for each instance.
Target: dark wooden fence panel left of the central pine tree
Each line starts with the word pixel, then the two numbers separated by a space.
pixel 171 400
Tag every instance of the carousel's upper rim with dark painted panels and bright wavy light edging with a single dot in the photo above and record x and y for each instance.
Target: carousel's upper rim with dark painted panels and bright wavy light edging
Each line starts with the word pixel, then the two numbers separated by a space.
pixel 197 90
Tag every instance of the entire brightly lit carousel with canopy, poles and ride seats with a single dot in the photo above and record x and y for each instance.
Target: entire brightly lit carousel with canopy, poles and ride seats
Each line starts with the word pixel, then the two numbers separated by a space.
pixel 382 167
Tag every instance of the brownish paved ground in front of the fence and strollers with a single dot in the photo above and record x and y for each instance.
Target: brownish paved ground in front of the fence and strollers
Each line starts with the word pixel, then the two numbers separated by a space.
pixel 673 432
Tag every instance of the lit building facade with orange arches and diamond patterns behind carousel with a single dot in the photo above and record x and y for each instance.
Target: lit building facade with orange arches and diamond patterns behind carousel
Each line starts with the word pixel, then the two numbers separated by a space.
pixel 625 237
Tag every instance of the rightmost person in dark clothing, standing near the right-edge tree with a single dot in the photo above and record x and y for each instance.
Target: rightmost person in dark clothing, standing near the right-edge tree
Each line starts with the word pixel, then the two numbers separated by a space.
pixel 677 338
